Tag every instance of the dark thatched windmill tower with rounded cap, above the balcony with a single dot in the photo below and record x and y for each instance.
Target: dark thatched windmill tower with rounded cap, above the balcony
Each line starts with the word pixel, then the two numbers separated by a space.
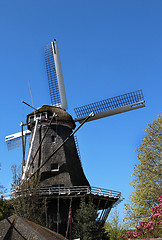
pixel 63 168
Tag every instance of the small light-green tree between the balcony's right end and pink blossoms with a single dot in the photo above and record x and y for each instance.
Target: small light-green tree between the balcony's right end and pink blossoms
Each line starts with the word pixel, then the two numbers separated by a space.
pixel 114 227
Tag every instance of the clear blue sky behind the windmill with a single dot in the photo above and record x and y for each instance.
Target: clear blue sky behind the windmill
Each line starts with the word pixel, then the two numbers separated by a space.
pixel 107 48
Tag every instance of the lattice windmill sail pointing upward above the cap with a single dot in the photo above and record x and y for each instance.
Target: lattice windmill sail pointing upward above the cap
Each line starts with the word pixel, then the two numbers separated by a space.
pixel 55 76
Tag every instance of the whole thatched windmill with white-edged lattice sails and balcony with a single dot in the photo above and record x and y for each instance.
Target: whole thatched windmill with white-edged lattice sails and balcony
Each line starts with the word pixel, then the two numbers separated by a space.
pixel 53 152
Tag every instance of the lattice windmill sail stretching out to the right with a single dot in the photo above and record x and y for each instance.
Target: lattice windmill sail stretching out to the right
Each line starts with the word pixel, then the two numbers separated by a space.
pixel 111 106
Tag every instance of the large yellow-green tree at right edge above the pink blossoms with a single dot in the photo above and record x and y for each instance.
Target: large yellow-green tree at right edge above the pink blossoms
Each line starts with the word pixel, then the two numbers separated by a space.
pixel 146 176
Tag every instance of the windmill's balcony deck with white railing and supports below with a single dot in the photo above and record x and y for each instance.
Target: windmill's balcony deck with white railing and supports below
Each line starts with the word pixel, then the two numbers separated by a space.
pixel 103 199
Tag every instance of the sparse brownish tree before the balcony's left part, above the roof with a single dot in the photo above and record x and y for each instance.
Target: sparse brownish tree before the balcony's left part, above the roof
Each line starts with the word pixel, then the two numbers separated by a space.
pixel 26 201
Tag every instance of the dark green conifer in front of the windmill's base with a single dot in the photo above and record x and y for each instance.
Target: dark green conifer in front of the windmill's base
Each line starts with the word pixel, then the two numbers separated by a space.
pixel 85 225
